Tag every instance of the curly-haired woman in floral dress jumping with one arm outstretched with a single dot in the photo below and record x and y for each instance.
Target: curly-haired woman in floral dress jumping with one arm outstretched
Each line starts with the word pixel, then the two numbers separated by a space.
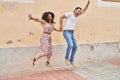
pixel 46 45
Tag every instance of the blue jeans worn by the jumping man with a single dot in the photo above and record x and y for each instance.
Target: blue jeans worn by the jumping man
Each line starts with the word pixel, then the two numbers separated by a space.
pixel 72 45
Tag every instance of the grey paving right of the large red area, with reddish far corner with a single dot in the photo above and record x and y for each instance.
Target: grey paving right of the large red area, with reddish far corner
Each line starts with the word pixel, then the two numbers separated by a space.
pixel 100 70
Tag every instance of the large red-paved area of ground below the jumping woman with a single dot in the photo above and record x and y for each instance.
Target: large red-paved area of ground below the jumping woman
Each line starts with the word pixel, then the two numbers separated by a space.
pixel 47 74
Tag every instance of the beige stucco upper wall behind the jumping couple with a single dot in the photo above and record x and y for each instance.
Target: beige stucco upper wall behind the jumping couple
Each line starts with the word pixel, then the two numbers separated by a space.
pixel 98 24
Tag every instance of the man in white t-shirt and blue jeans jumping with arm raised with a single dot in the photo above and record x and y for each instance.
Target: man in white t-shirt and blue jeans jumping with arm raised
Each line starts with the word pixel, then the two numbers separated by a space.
pixel 68 31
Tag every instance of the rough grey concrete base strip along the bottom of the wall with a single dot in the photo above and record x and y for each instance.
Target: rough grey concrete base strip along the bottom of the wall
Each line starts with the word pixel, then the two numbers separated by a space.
pixel 18 59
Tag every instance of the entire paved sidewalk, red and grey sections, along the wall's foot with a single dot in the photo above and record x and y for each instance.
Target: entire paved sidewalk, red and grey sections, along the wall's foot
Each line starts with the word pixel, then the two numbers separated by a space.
pixel 94 70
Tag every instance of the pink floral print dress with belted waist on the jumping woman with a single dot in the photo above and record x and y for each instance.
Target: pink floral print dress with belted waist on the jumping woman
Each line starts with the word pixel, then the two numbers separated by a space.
pixel 45 40
